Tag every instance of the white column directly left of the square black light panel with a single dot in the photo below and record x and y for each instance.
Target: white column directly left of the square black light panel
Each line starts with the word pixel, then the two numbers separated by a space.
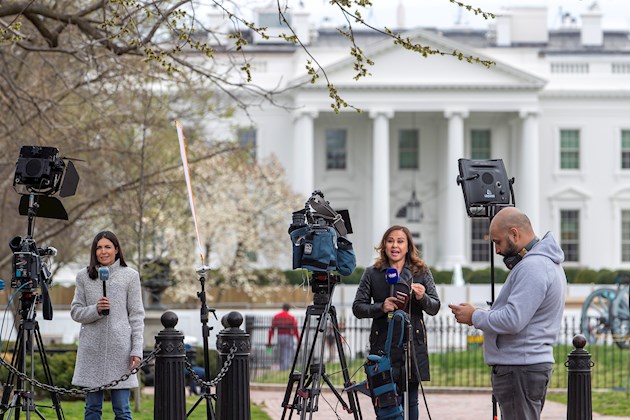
pixel 453 214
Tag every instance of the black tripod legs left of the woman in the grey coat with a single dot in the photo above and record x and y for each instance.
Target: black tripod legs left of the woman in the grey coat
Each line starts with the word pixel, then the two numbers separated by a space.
pixel 23 398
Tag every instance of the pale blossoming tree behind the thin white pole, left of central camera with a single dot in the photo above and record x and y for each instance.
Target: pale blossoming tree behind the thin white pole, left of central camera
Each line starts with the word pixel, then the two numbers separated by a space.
pixel 244 210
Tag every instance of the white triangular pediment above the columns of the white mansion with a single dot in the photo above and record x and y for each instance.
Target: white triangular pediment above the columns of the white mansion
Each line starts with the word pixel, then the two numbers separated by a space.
pixel 395 67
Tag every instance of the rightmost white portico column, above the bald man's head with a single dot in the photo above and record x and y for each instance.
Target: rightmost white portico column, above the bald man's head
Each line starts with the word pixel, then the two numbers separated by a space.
pixel 527 186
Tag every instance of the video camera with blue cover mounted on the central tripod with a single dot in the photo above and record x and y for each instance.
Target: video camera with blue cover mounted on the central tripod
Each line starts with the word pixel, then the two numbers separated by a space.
pixel 318 234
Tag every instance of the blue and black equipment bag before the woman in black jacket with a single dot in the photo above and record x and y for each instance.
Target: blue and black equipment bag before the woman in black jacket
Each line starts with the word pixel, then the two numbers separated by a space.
pixel 380 376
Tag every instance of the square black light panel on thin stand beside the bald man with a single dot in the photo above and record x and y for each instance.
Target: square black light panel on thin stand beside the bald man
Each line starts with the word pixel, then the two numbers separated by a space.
pixel 487 190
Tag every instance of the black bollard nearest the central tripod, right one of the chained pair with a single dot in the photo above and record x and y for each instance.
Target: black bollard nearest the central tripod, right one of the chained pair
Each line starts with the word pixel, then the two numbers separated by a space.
pixel 233 399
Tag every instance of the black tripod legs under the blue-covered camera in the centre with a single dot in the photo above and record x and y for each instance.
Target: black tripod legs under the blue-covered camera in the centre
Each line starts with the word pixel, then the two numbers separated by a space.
pixel 309 379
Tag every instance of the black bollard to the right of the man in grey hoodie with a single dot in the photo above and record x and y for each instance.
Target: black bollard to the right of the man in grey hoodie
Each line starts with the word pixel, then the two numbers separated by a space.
pixel 579 402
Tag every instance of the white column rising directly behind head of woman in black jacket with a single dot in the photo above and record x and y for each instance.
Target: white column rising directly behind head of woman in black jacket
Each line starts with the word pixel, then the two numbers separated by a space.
pixel 380 173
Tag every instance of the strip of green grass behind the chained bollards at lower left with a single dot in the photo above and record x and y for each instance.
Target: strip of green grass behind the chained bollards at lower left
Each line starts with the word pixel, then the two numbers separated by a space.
pixel 74 409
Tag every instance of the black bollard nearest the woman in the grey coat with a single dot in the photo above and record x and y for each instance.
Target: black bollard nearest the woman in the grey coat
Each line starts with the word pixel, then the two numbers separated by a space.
pixel 170 388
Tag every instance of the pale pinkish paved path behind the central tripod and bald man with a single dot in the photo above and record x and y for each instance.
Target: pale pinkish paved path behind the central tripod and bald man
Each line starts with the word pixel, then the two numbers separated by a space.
pixel 453 405
